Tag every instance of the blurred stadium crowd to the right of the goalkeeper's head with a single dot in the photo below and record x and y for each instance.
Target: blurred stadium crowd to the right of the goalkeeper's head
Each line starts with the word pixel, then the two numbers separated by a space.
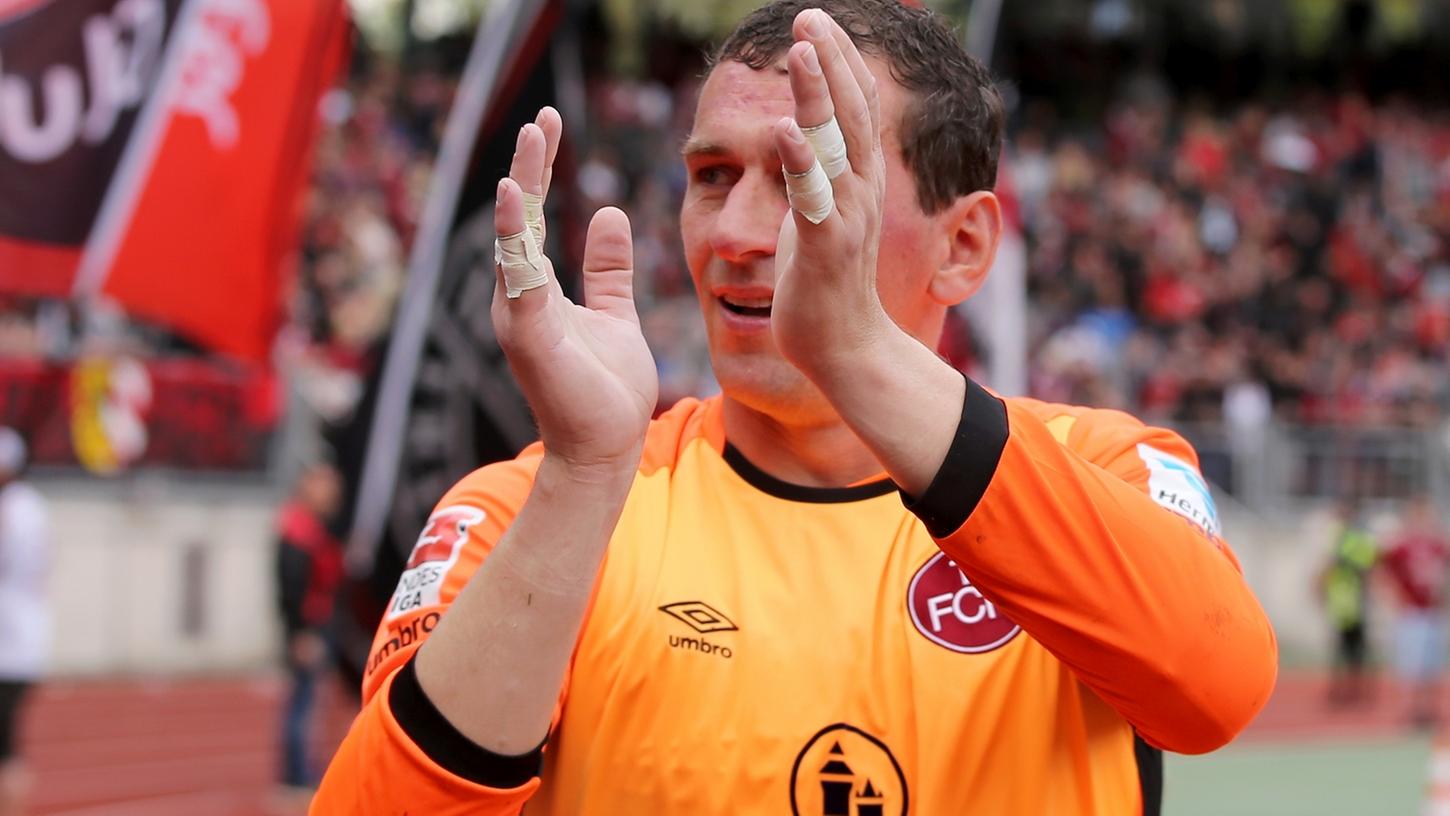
pixel 1287 260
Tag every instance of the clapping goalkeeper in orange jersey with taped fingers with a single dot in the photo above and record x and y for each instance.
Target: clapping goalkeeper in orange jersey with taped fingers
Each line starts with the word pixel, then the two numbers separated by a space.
pixel 856 583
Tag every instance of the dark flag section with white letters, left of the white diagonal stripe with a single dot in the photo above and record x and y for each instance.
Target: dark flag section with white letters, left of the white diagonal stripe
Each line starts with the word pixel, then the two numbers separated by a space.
pixel 73 80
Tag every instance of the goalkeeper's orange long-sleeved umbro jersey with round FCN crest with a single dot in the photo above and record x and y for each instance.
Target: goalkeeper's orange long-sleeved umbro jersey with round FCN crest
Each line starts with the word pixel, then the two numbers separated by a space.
pixel 1017 641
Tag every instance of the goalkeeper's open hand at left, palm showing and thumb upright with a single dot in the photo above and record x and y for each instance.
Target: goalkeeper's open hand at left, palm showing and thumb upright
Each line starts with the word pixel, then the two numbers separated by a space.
pixel 587 370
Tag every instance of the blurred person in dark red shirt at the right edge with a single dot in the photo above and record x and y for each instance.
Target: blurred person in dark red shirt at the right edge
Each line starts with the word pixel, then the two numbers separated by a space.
pixel 1419 563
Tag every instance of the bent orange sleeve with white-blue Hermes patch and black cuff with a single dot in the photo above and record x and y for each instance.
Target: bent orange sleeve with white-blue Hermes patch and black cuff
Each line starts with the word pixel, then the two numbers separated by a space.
pixel 1100 537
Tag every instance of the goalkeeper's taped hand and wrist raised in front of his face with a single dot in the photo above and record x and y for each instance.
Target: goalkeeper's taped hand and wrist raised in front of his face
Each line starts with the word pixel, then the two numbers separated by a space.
pixel 900 398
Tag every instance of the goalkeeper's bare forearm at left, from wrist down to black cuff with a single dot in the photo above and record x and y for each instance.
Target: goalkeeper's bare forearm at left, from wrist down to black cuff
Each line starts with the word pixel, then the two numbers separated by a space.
pixel 497 663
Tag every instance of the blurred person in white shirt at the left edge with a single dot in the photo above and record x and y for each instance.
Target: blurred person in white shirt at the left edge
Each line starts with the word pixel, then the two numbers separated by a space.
pixel 24 620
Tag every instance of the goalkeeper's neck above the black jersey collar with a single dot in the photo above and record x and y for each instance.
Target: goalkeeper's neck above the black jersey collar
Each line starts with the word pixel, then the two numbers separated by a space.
pixel 811 454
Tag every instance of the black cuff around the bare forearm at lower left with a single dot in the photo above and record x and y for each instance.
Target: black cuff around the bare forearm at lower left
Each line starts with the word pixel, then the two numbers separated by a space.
pixel 452 750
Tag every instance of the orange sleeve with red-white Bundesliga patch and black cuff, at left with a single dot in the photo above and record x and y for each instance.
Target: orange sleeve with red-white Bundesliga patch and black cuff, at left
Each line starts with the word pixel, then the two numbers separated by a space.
pixel 402 756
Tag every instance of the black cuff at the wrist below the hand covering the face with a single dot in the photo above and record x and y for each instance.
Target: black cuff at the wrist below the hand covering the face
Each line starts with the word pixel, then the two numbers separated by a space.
pixel 969 467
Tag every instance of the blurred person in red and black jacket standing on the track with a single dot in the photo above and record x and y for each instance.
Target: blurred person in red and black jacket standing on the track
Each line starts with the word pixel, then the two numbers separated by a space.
pixel 310 567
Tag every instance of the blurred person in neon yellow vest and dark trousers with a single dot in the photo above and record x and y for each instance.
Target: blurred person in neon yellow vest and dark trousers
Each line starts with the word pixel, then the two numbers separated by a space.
pixel 1345 585
